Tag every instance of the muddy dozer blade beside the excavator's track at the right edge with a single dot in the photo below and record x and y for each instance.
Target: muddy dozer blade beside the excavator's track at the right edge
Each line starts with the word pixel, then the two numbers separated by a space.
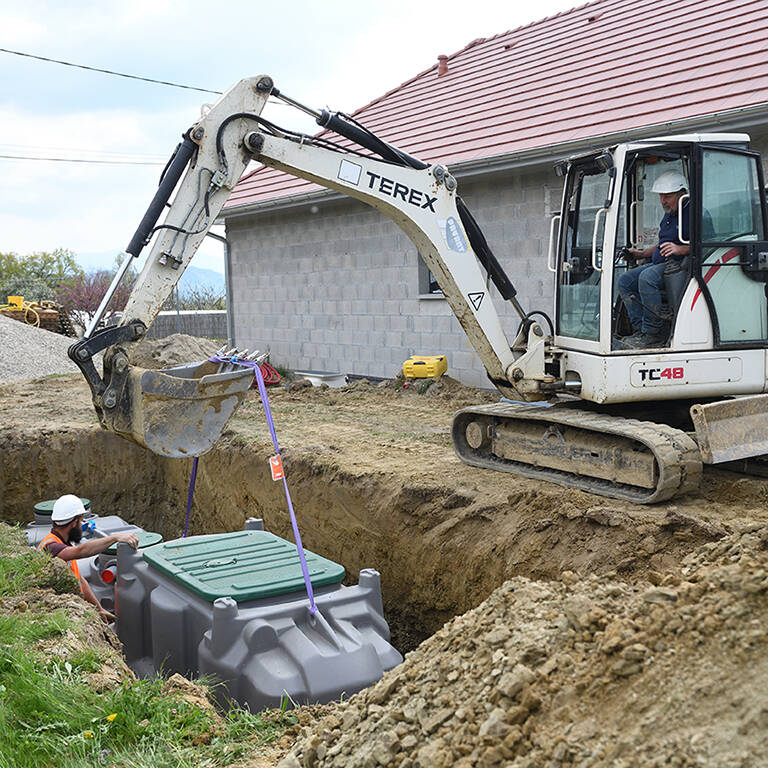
pixel 731 429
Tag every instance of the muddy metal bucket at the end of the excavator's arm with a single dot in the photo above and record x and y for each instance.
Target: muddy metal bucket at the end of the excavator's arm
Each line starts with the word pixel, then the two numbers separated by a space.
pixel 180 411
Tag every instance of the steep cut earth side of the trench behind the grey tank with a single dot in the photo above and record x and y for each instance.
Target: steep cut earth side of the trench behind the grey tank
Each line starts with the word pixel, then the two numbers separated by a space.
pixel 441 545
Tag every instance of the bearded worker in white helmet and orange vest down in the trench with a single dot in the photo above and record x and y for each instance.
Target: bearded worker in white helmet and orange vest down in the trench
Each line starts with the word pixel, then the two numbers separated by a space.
pixel 64 541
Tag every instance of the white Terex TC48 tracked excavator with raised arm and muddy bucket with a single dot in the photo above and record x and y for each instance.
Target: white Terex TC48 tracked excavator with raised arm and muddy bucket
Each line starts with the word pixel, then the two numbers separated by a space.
pixel 578 409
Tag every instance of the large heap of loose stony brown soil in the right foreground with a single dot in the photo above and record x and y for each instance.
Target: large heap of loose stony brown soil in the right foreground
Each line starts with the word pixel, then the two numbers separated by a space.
pixel 588 672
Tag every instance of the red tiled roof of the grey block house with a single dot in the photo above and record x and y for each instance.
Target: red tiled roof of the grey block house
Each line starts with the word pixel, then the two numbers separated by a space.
pixel 605 67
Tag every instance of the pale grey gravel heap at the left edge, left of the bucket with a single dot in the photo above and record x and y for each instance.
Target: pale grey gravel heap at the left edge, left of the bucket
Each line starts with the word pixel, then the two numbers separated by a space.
pixel 27 352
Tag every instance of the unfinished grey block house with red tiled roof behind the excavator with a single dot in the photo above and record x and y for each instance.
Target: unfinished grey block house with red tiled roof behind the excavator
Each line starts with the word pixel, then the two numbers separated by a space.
pixel 326 283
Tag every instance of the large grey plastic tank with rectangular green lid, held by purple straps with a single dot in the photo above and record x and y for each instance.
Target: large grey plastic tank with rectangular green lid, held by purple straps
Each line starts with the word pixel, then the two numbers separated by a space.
pixel 233 605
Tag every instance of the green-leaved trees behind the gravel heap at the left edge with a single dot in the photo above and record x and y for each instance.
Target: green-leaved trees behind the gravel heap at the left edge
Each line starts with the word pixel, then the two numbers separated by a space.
pixel 38 275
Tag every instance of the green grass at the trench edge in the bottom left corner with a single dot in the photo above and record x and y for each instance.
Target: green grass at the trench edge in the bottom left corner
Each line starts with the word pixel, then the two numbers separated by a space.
pixel 51 715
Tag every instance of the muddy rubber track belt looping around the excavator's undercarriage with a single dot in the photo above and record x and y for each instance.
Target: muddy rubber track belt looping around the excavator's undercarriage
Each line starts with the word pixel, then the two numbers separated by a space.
pixel 677 455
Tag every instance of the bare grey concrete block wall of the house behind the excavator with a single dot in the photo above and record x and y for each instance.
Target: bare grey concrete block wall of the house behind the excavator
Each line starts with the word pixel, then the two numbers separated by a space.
pixel 338 289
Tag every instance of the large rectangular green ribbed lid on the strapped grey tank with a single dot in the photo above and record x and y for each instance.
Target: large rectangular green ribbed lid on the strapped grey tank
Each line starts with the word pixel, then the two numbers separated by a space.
pixel 245 565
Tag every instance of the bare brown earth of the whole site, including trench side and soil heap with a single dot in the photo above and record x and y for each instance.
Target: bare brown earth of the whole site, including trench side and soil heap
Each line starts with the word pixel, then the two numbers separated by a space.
pixel 542 626
